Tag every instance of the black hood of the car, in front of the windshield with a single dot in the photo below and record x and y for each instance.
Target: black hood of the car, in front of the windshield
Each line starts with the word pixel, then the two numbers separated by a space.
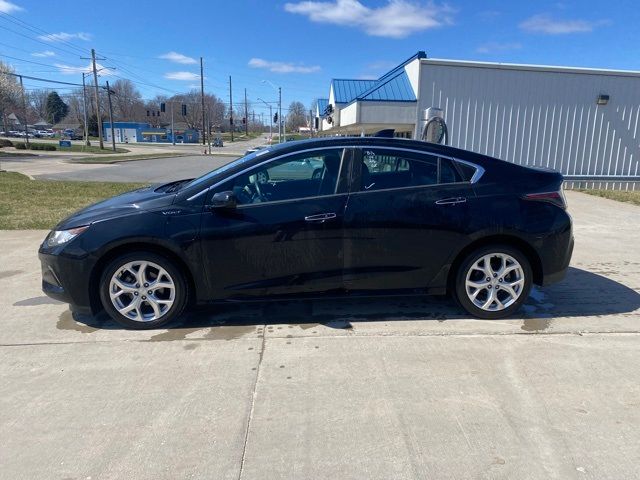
pixel 131 203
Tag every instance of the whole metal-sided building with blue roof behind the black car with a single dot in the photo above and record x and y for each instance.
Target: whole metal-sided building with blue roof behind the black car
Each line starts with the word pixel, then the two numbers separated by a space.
pixel 582 122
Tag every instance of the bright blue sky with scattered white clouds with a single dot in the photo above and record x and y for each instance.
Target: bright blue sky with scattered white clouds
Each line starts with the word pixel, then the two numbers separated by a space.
pixel 301 45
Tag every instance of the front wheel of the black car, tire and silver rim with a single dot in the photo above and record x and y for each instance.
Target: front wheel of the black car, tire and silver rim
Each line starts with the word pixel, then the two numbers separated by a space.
pixel 129 302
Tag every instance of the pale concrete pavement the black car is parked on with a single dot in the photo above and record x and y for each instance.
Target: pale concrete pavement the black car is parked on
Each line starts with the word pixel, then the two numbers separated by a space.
pixel 399 388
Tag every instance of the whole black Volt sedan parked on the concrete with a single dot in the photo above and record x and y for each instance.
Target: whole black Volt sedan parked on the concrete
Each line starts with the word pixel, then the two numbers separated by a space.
pixel 384 216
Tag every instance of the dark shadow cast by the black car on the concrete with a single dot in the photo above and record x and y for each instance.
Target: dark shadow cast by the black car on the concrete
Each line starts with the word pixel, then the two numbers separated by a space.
pixel 581 293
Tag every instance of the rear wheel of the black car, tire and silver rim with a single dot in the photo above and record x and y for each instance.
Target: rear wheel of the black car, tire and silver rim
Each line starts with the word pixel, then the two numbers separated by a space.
pixel 510 289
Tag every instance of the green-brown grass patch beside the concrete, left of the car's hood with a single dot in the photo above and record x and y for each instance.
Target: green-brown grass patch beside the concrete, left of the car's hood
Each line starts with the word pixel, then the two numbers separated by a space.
pixel 40 204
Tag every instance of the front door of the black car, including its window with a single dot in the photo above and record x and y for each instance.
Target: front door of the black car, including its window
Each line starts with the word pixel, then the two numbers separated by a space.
pixel 286 234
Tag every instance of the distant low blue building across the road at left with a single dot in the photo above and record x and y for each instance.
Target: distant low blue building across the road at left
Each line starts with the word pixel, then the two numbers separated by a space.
pixel 140 132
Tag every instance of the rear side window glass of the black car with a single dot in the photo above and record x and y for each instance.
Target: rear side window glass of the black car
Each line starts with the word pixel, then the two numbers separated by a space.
pixel 384 169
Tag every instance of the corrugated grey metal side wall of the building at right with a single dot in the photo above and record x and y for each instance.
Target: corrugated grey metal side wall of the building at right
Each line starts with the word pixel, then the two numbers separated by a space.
pixel 540 117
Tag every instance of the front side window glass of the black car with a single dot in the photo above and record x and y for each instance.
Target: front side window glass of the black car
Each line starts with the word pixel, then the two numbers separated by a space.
pixel 304 175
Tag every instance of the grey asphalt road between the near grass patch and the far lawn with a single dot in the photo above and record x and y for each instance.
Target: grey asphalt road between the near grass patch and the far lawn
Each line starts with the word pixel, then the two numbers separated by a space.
pixel 154 170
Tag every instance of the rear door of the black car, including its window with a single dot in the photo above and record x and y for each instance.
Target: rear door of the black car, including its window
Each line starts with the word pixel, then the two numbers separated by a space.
pixel 408 212
